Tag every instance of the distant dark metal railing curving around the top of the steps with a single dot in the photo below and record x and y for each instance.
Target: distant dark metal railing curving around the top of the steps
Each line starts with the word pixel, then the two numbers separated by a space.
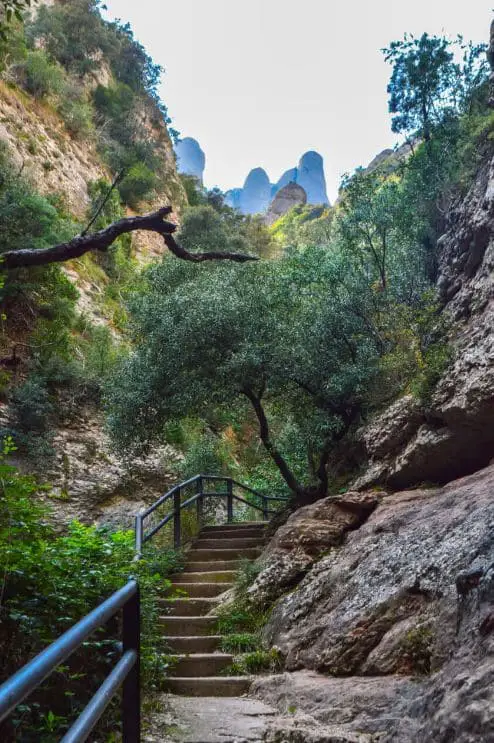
pixel 141 537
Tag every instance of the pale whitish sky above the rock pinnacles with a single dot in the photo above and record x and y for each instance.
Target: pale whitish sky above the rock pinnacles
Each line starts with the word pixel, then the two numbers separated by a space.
pixel 260 82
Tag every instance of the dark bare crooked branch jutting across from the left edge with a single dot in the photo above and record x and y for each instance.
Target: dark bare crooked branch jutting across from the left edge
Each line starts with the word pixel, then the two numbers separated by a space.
pixel 102 240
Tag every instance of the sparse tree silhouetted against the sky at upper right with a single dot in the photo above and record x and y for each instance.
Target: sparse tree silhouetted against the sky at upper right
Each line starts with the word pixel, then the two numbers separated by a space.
pixel 427 83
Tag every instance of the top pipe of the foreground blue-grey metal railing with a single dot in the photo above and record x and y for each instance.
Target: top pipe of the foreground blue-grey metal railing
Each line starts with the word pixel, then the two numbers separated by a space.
pixel 28 678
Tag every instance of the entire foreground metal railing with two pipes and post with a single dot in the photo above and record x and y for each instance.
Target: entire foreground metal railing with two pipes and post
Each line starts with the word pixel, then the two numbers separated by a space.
pixel 126 672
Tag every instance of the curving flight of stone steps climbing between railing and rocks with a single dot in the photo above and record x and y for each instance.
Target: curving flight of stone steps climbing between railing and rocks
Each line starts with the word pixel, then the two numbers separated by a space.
pixel 189 627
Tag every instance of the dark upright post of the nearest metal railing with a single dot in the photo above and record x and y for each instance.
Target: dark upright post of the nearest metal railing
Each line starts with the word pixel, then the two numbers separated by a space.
pixel 131 694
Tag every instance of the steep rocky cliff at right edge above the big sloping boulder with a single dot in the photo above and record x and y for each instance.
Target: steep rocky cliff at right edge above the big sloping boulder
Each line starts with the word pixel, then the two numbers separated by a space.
pixel 454 435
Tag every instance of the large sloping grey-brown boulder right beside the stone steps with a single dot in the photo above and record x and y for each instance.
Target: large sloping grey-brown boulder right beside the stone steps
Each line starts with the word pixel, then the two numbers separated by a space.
pixel 401 613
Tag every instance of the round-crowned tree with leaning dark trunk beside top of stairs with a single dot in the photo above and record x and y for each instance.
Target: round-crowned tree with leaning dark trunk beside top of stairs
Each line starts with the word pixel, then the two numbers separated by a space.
pixel 291 339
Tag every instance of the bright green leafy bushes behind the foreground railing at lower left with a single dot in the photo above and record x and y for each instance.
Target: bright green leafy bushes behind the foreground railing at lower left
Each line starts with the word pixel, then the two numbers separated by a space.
pixel 49 582
